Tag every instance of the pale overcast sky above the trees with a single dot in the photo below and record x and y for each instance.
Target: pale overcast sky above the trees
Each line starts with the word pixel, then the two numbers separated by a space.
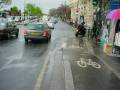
pixel 44 4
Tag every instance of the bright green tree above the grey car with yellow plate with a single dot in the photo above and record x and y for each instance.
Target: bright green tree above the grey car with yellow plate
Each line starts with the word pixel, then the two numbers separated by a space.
pixel 33 10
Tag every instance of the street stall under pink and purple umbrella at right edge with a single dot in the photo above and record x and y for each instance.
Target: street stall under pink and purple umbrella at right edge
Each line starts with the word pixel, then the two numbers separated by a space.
pixel 111 33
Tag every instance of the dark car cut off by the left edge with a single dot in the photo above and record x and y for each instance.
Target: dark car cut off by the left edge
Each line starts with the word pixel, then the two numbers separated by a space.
pixel 8 29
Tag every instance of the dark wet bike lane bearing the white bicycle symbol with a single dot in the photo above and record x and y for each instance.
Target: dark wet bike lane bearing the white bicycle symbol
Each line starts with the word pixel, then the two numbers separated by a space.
pixel 89 73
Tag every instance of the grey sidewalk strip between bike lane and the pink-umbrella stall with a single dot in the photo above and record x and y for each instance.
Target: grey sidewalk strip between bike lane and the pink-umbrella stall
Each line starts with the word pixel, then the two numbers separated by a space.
pixel 112 62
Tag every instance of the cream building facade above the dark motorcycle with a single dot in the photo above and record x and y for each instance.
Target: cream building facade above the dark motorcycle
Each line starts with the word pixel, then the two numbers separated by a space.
pixel 82 10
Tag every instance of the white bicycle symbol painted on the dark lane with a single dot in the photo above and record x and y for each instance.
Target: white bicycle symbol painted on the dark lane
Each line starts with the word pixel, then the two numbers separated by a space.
pixel 85 62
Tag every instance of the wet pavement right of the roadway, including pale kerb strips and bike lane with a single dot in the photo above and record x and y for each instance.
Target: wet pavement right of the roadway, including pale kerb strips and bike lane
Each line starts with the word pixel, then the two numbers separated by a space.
pixel 73 67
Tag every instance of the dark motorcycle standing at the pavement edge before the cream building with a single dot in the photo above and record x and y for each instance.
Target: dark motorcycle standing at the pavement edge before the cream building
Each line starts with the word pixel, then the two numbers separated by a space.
pixel 81 30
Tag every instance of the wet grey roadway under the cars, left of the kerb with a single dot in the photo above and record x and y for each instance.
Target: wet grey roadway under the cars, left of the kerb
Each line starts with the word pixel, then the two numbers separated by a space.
pixel 20 64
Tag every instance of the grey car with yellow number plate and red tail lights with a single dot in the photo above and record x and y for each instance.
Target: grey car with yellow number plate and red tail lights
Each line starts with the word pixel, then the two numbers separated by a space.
pixel 37 31
